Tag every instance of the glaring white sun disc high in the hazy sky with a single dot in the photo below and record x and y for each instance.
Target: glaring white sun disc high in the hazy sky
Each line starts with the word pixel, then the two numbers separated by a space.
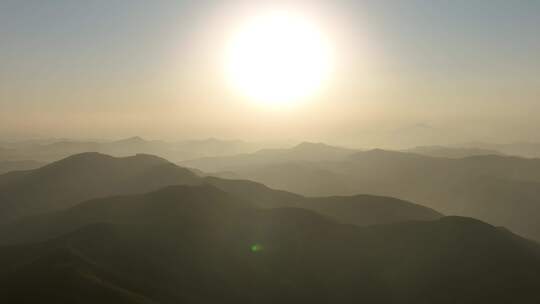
pixel 278 58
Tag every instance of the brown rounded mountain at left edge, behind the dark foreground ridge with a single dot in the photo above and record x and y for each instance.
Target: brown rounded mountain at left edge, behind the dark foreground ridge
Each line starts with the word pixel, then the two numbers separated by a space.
pixel 84 176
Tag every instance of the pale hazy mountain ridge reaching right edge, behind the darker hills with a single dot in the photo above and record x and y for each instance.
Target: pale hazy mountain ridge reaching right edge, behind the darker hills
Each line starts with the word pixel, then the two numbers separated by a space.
pixel 501 190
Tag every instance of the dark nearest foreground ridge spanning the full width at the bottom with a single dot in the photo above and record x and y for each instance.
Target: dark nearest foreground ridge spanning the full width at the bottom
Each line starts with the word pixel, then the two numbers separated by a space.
pixel 198 244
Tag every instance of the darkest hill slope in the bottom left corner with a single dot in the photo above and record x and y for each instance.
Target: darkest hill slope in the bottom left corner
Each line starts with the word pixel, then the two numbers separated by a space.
pixel 63 276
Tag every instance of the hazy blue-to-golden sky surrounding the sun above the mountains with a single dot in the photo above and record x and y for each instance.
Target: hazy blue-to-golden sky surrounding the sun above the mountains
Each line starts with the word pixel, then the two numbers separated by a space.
pixel 406 72
